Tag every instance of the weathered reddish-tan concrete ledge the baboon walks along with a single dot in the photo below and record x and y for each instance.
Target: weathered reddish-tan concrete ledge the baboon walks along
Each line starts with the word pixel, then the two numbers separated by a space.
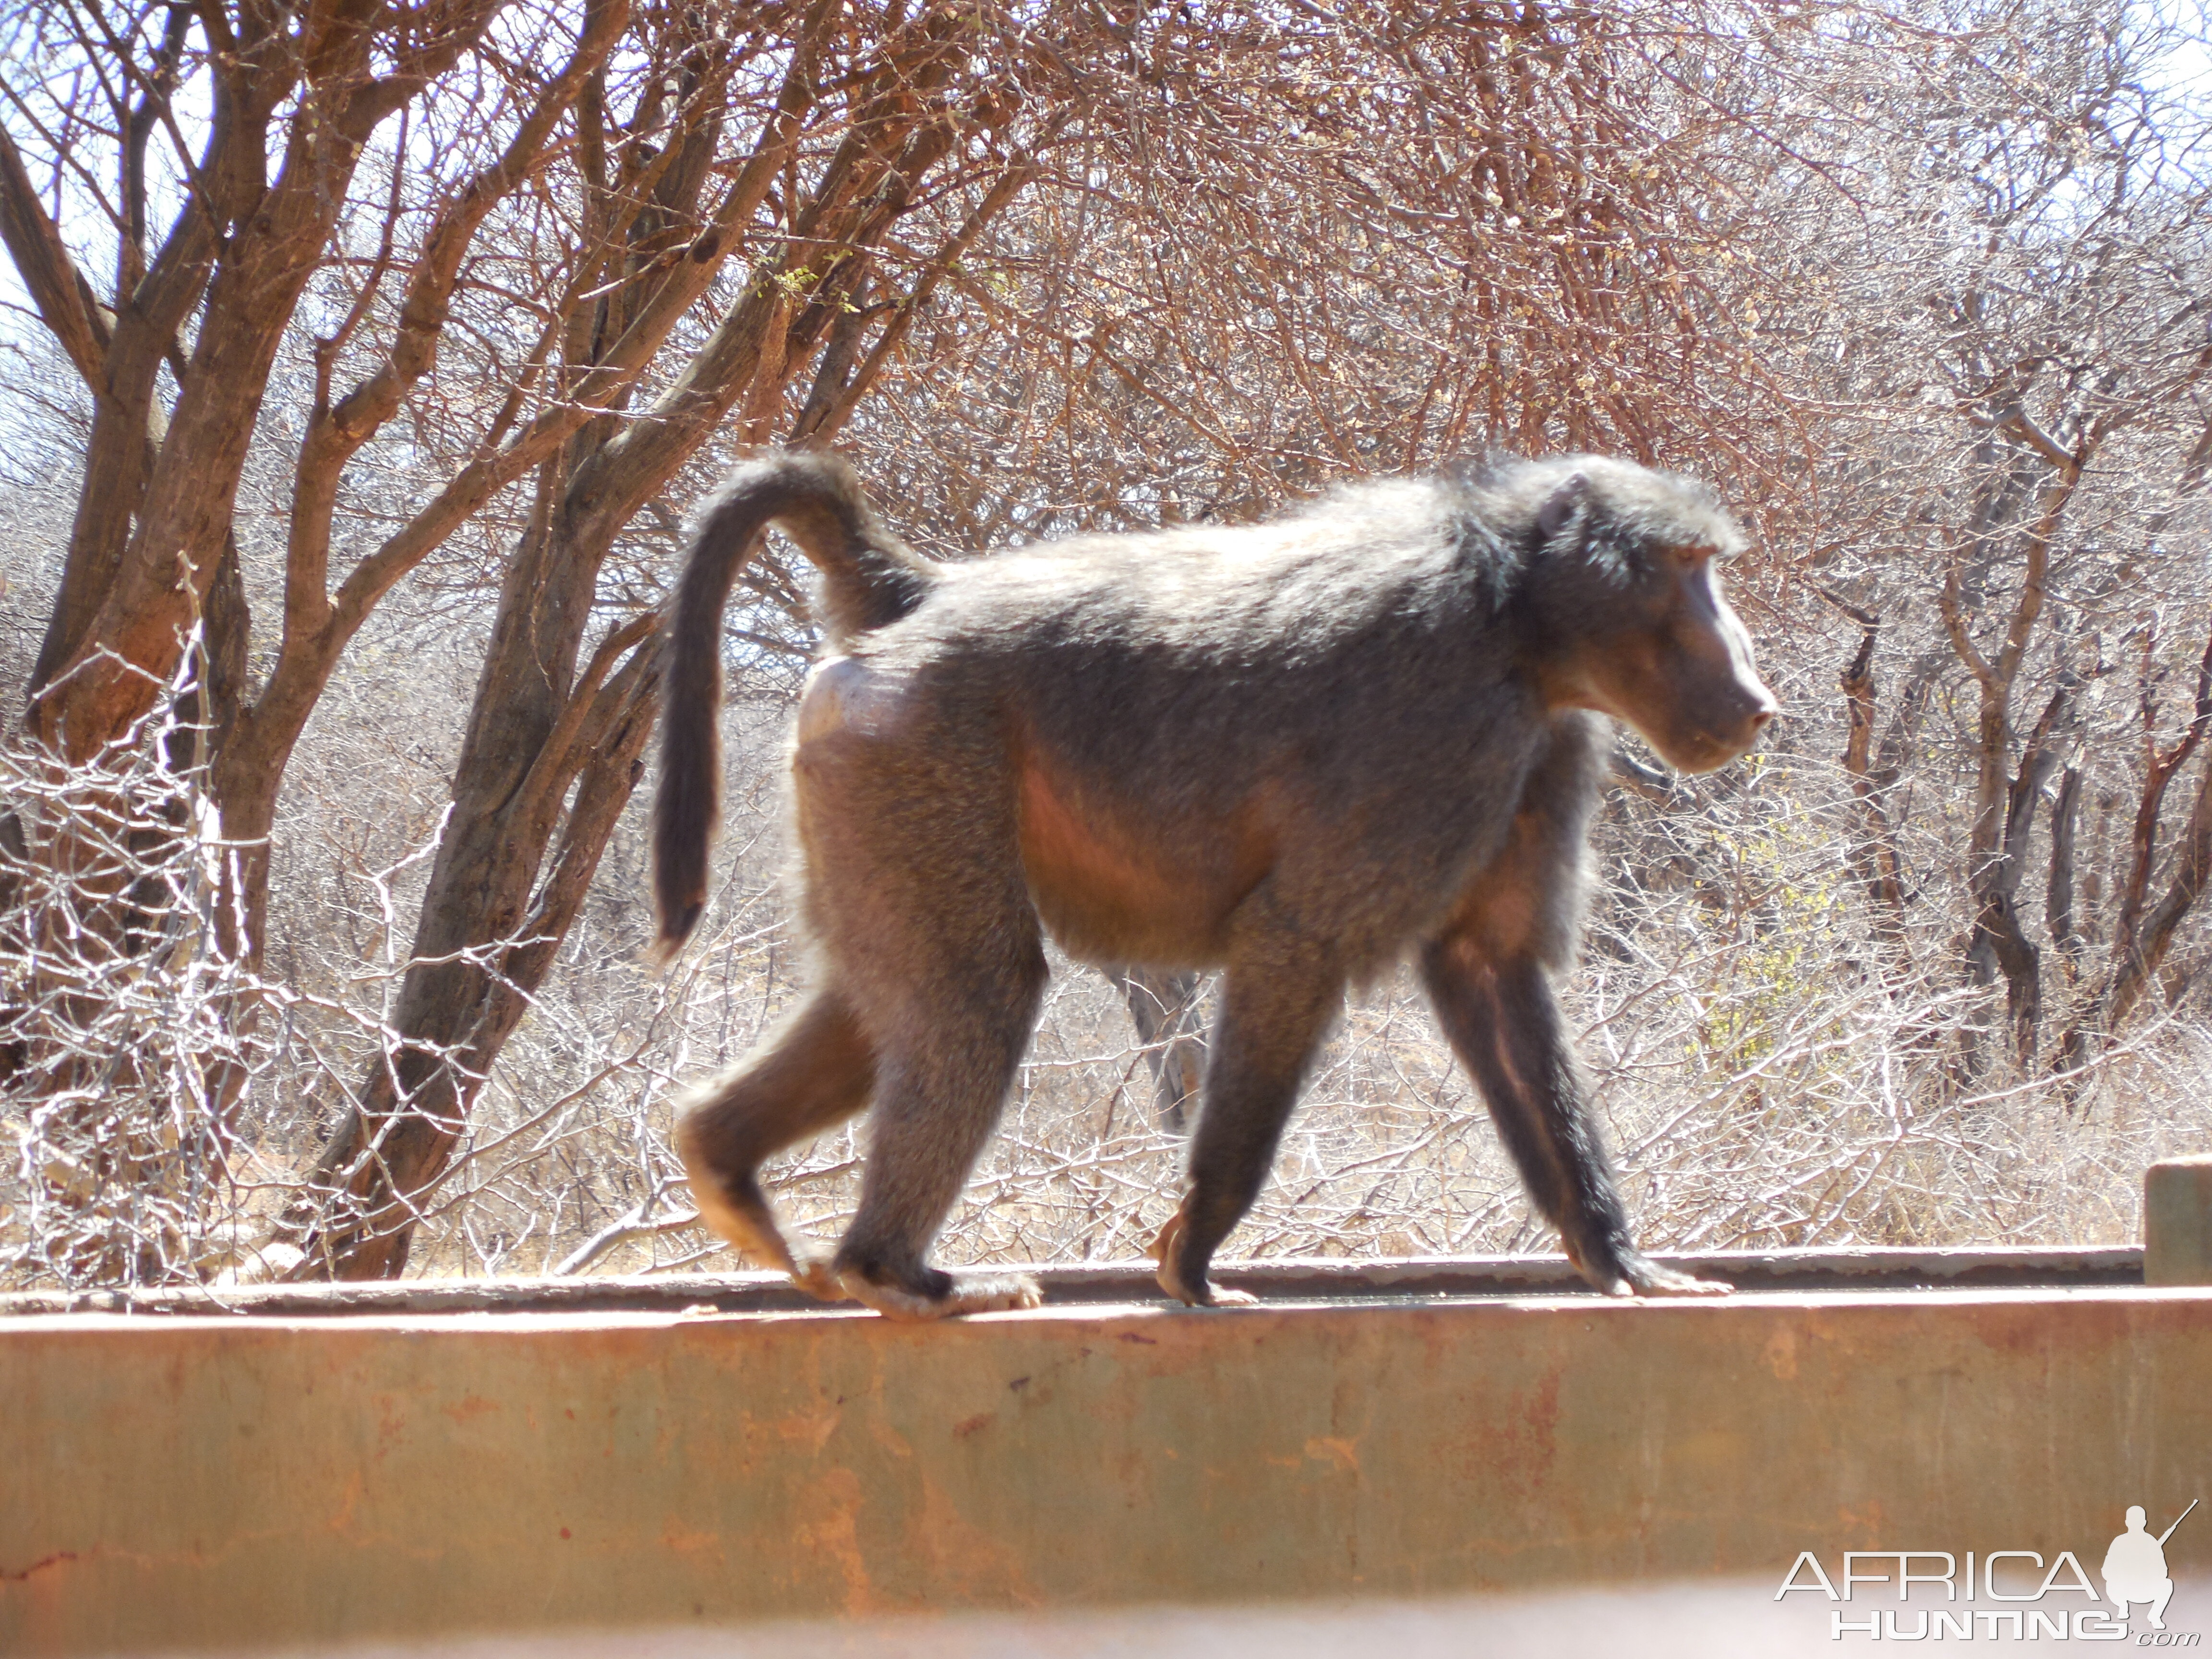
pixel 280 1479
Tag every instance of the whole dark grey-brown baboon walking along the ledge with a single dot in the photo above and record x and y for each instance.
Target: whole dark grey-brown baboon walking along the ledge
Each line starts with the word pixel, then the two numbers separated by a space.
pixel 1297 751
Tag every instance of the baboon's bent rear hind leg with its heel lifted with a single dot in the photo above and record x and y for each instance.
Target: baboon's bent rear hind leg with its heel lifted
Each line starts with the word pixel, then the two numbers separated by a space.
pixel 811 1076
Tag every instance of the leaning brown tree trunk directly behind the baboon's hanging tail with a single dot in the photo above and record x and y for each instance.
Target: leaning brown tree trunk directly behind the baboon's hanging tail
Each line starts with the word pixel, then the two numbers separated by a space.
pixel 483 943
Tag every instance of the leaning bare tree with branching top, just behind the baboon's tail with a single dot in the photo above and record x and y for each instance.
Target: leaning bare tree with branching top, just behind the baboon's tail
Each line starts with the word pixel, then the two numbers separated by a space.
pixel 554 751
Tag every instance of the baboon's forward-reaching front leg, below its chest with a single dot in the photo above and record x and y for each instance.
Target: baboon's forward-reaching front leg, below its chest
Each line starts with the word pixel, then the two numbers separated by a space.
pixel 1505 1025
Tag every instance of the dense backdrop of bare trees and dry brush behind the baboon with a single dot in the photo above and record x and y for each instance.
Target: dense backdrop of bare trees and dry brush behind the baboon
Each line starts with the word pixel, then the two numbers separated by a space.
pixel 415 333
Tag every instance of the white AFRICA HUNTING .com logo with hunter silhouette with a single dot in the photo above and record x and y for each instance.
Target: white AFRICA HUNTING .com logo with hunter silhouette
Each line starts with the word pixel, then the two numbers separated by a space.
pixel 2003 1596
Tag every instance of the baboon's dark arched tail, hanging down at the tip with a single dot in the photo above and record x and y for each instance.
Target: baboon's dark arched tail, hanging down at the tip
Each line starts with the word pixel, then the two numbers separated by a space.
pixel 870 581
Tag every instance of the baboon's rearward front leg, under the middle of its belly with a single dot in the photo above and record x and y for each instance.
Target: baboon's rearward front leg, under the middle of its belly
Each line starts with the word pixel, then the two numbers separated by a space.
pixel 1264 1039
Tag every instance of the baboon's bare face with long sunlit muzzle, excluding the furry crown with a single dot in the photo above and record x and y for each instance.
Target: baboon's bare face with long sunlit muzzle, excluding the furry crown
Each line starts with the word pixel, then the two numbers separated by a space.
pixel 1676 665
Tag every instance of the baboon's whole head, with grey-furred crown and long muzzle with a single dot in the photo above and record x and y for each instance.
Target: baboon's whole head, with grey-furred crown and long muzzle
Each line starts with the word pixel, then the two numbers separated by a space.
pixel 1634 620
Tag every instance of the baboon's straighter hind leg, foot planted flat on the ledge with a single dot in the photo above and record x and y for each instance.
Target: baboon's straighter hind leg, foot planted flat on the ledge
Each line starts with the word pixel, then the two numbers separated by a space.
pixel 937 1105
